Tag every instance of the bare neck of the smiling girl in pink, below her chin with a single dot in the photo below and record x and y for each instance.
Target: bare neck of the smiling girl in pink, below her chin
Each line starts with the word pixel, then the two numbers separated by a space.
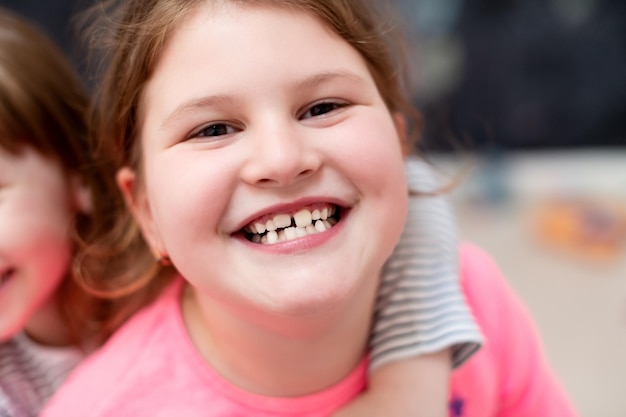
pixel 281 356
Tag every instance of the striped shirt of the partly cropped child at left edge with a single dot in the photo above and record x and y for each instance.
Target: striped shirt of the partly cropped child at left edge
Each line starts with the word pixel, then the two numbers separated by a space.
pixel 30 373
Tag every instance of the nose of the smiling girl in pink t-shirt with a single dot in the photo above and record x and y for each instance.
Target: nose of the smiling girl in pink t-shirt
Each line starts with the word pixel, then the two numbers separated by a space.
pixel 280 157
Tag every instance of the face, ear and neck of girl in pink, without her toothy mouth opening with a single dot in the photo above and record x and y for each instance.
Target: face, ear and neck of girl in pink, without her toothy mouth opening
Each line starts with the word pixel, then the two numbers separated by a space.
pixel 223 146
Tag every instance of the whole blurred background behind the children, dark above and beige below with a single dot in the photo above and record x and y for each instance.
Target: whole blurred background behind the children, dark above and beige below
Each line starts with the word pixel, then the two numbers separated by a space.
pixel 531 96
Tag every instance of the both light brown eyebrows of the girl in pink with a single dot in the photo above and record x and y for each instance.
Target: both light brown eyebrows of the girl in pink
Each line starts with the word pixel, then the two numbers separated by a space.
pixel 308 83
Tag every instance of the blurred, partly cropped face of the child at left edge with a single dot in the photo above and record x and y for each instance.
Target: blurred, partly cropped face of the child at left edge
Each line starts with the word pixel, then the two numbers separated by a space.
pixel 34 240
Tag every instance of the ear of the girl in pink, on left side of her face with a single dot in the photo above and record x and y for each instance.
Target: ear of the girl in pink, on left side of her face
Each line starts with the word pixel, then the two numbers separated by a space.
pixel 138 204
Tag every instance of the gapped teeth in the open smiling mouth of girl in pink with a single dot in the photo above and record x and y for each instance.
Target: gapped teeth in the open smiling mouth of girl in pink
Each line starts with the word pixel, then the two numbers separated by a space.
pixel 284 227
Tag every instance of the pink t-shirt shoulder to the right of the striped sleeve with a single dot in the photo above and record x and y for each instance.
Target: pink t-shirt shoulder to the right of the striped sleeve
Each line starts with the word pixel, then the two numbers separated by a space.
pixel 512 357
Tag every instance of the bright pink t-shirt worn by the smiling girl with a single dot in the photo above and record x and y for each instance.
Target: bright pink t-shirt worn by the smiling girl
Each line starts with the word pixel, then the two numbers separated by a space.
pixel 150 368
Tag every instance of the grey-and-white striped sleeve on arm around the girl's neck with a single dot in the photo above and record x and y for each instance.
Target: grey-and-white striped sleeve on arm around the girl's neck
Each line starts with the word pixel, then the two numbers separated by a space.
pixel 420 307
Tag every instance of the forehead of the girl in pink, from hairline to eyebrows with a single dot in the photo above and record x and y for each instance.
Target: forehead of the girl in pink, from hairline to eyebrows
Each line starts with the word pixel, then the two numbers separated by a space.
pixel 242 41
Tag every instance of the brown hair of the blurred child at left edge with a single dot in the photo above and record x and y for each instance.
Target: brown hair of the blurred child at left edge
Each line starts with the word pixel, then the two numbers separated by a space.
pixel 43 105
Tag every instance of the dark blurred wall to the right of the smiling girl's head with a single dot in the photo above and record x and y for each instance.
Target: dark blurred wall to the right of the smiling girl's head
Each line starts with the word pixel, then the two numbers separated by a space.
pixel 520 74
